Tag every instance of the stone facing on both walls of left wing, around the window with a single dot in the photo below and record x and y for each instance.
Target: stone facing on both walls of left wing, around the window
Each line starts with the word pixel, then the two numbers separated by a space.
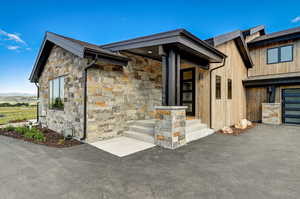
pixel 115 94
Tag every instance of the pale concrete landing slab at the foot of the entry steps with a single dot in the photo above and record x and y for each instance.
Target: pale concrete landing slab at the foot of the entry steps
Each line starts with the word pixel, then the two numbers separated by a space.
pixel 122 146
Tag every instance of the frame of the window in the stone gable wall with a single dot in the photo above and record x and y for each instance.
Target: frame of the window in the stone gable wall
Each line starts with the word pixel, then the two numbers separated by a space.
pixel 51 92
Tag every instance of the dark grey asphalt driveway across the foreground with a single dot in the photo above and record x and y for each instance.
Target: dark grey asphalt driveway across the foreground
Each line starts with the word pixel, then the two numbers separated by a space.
pixel 262 163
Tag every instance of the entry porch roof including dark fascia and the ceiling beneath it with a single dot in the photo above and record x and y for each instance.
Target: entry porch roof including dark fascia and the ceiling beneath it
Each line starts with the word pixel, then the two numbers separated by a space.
pixel 182 40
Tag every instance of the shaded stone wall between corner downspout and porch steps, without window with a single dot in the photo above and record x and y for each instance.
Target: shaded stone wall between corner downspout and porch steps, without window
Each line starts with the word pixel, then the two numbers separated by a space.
pixel 119 94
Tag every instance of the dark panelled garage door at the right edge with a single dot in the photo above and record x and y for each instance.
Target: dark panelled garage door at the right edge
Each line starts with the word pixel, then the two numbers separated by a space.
pixel 291 106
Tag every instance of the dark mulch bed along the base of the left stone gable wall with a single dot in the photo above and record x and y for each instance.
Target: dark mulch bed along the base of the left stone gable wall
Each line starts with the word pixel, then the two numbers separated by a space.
pixel 53 139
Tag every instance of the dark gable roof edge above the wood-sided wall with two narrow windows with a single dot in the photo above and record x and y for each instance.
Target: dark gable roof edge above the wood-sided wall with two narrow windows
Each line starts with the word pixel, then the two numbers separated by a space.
pixel 238 37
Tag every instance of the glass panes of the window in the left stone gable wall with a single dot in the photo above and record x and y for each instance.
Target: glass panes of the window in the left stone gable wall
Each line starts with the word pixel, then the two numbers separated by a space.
pixel 56 93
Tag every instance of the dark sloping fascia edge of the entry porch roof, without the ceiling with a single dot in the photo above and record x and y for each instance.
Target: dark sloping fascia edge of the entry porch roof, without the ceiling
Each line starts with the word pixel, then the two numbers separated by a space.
pixel 179 36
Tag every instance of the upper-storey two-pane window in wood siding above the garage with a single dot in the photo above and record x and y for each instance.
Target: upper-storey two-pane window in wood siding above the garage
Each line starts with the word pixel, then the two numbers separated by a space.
pixel 280 54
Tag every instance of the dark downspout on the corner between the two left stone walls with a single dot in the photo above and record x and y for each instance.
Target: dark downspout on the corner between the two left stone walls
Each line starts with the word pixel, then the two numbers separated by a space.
pixel 85 96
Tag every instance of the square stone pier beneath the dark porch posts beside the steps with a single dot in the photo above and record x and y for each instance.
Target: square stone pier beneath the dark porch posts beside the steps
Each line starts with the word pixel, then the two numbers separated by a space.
pixel 170 125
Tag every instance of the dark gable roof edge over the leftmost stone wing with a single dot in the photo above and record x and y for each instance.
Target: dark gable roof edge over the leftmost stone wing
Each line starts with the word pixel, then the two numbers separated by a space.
pixel 74 46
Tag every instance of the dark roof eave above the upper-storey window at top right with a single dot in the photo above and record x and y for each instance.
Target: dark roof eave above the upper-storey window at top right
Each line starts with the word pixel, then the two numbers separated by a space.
pixel 289 34
